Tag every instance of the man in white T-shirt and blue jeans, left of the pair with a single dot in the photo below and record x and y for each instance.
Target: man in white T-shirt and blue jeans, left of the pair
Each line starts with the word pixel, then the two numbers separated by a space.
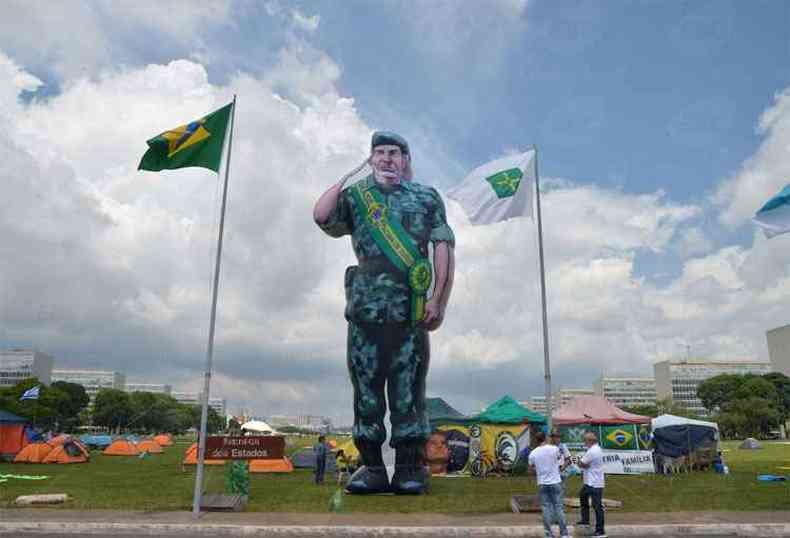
pixel 545 461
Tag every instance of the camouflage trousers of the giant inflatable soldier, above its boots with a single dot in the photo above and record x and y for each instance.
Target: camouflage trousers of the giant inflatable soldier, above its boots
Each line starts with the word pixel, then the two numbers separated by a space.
pixel 398 356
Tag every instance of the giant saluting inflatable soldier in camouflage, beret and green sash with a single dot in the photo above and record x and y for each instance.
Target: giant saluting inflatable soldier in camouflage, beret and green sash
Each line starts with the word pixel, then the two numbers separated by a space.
pixel 391 220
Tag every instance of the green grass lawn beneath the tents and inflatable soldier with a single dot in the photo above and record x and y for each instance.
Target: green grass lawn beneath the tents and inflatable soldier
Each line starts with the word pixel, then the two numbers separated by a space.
pixel 158 483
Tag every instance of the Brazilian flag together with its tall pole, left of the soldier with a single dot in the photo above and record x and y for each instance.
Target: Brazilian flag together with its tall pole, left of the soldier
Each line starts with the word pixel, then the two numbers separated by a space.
pixel 199 143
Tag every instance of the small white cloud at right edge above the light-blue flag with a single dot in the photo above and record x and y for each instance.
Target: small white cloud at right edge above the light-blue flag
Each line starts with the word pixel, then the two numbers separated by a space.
pixel 765 173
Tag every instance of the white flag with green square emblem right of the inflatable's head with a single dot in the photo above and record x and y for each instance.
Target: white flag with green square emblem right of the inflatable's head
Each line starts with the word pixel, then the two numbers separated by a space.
pixel 498 190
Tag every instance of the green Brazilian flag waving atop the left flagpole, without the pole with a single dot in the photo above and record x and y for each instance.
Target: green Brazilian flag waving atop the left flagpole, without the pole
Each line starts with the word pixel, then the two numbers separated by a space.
pixel 198 143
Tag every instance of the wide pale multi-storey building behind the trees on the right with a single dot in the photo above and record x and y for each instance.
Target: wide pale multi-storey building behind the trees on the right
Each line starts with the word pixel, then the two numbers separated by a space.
pixel 678 380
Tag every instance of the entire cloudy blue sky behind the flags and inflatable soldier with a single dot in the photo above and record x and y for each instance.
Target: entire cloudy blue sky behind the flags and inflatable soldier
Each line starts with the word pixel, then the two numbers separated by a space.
pixel 661 127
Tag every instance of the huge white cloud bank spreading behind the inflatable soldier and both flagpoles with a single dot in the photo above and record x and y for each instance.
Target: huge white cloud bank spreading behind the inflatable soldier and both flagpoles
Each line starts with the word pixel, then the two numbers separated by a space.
pixel 110 267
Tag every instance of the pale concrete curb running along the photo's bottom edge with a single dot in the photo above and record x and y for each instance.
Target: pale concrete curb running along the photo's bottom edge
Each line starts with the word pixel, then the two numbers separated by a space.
pixel 302 531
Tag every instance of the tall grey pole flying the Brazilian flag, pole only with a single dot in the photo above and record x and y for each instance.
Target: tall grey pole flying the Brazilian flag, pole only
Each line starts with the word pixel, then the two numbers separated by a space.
pixel 210 348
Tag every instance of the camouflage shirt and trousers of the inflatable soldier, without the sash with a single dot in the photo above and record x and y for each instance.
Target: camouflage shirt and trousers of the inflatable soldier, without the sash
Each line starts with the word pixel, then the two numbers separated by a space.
pixel 383 347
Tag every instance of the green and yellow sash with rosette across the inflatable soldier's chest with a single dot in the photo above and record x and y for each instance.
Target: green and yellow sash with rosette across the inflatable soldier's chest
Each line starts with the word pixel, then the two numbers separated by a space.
pixel 396 244
